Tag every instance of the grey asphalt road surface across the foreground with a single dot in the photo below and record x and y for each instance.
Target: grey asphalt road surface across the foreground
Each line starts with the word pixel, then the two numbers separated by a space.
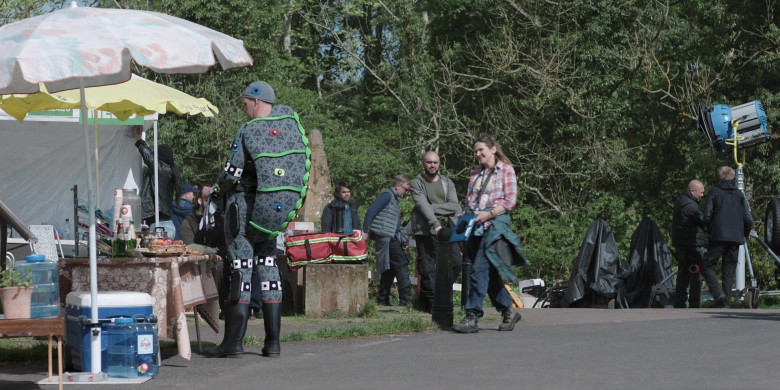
pixel 549 349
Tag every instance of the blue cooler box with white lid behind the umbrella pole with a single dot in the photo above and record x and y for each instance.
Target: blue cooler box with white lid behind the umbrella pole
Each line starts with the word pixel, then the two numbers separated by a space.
pixel 111 304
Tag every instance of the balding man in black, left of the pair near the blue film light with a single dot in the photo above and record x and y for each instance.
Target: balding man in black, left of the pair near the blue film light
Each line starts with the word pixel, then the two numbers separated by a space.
pixel 687 225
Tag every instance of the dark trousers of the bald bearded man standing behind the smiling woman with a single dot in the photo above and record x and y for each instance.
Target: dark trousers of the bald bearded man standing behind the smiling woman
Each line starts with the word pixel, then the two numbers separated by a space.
pixel 426 267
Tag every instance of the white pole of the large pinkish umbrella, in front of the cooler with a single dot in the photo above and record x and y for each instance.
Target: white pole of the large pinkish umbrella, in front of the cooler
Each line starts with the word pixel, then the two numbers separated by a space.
pixel 95 326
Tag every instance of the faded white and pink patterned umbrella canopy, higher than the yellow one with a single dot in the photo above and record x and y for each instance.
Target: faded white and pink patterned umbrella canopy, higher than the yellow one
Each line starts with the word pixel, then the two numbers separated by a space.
pixel 83 46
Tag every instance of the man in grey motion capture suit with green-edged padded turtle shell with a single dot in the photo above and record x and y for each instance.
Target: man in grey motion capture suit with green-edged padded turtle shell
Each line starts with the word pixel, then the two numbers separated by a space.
pixel 264 182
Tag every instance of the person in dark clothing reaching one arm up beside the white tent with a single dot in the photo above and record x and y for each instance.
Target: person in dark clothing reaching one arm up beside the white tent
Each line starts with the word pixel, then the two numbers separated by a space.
pixel 169 183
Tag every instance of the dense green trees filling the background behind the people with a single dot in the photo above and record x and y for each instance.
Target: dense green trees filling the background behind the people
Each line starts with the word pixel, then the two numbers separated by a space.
pixel 593 101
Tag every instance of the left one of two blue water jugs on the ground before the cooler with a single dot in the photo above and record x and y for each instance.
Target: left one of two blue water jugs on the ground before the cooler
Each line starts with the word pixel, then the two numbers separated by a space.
pixel 122 342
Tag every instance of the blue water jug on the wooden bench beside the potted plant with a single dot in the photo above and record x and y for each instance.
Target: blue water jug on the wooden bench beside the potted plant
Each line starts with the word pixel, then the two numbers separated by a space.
pixel 46 295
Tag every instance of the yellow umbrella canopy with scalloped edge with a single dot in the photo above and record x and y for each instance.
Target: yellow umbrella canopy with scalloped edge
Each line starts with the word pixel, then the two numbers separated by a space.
pixel 138 96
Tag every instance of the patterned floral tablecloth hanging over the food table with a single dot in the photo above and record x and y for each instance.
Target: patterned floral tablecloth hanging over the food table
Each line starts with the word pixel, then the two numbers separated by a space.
pixel 175 284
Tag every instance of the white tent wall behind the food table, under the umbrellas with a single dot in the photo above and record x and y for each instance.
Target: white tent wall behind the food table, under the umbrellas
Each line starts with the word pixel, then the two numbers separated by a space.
pixel 43 158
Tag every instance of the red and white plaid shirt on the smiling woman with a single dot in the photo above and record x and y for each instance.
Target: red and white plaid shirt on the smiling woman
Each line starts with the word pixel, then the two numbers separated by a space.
pixel 501 190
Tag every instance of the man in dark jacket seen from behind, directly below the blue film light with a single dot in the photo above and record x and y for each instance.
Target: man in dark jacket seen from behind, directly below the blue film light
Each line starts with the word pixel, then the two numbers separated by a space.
pixel 727 214
